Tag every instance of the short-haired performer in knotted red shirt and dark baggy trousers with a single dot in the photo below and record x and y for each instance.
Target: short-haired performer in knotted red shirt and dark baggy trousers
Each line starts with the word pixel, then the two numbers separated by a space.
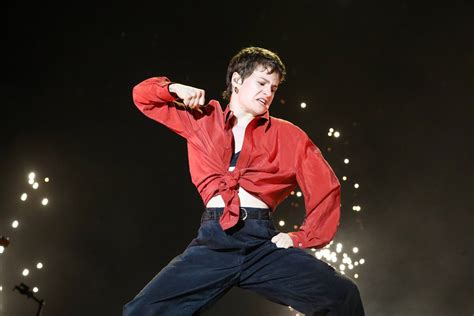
pixel 244 163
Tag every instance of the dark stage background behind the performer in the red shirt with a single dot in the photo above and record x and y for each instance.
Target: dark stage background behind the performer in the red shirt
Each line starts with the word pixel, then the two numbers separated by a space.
pixel 394 77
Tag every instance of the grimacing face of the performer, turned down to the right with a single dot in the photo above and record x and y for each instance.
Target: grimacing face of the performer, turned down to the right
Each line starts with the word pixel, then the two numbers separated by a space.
pixel 256 92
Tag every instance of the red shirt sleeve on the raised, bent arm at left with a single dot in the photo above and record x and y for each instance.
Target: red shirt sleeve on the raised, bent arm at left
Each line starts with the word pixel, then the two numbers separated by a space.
pixel 153 99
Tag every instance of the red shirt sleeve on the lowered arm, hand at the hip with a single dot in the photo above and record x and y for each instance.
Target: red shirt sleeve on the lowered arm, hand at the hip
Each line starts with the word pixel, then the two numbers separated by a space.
pixel 322 197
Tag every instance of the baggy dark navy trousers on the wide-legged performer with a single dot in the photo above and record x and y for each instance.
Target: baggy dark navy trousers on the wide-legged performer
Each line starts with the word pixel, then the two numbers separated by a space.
pixel 244 256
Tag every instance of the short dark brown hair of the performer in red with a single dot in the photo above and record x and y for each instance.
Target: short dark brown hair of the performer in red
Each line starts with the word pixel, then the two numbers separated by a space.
pixel 247 60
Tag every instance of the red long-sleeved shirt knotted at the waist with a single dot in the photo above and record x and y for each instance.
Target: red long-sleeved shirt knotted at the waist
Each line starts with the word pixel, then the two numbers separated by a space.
pixel 276 157
